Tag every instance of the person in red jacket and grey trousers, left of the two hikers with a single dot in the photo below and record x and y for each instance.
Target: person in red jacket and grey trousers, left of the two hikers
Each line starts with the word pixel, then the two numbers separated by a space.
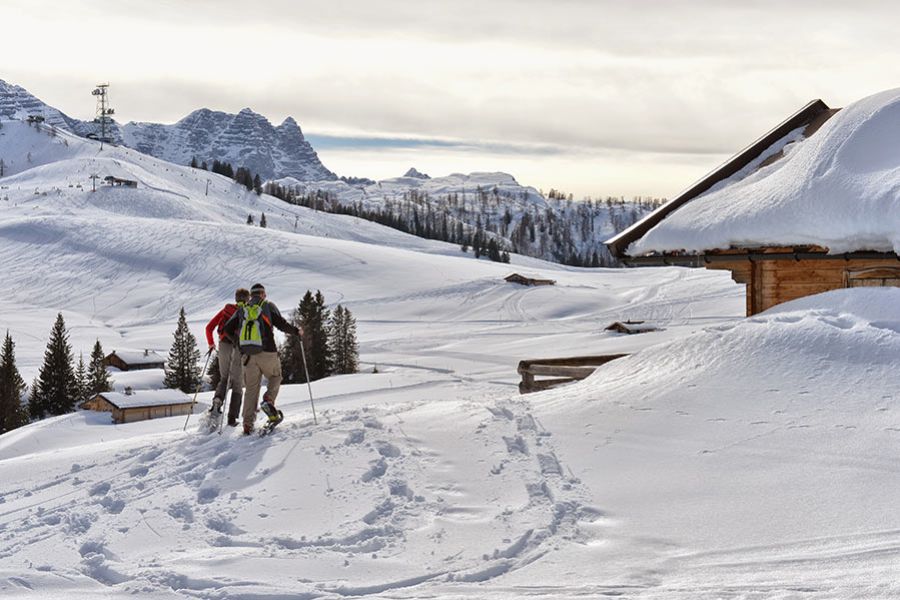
pixel 230 369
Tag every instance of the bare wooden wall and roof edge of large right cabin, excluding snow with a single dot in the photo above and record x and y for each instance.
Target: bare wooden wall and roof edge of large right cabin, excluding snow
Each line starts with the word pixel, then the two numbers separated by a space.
pixel 773 273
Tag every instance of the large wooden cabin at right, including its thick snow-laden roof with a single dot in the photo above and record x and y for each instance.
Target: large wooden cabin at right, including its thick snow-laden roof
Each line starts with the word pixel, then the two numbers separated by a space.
pixel 809 207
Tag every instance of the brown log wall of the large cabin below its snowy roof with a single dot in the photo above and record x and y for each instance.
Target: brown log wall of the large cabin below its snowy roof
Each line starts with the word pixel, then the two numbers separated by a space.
pixel 772 282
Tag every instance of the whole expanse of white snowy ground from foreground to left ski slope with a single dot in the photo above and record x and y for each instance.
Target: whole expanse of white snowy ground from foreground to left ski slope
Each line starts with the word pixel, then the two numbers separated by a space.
pixel 725 457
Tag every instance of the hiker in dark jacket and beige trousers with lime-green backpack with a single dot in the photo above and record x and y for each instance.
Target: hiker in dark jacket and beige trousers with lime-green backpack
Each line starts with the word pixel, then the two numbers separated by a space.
pixel 253 326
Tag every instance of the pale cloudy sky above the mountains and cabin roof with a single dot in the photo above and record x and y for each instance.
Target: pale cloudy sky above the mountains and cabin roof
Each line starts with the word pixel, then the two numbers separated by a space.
pixel 593 97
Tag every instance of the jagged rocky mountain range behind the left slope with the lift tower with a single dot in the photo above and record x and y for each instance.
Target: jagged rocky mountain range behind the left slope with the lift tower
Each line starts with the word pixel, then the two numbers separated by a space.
pixel 246 139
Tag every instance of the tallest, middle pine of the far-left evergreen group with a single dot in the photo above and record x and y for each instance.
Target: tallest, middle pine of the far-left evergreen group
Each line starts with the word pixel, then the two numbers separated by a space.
pixel 55 389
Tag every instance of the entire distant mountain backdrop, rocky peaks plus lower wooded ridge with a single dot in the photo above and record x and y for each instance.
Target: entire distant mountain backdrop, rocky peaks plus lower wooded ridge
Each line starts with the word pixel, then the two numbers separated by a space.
pixel 453 208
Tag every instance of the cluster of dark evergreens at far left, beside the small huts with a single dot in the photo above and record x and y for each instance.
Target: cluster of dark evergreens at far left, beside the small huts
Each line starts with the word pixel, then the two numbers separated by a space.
pixel 60 385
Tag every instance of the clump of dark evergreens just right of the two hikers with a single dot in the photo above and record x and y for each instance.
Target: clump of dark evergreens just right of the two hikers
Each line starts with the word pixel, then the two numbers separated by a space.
pixel 329 341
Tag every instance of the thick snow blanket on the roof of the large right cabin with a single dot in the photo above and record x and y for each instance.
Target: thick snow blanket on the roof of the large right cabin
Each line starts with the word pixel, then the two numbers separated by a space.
pixel 838 189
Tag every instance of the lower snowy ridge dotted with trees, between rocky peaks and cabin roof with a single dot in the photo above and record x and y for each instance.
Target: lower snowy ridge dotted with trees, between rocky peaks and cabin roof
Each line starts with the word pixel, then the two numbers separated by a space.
pixel 459 206
